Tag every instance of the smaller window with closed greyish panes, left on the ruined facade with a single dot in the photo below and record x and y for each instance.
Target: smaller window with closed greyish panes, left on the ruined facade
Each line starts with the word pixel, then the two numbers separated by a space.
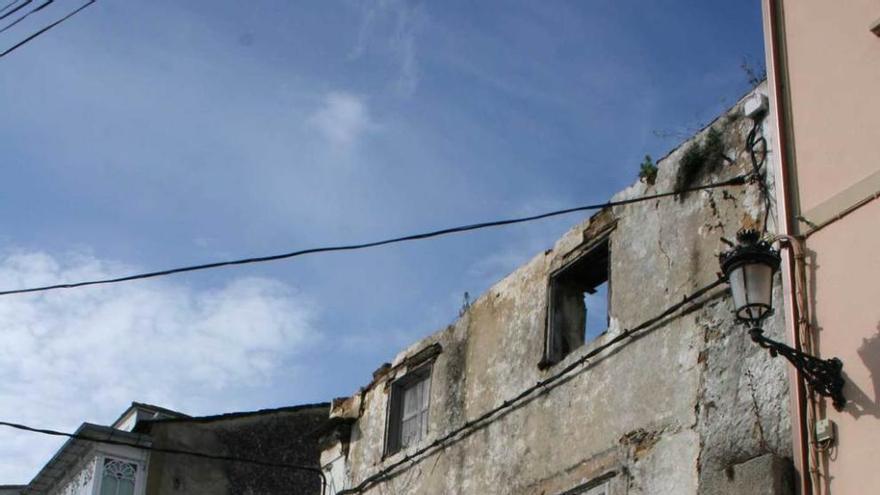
pixel 408 410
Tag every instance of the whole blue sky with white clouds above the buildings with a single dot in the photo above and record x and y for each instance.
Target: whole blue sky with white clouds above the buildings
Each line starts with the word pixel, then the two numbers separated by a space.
pixel 142 135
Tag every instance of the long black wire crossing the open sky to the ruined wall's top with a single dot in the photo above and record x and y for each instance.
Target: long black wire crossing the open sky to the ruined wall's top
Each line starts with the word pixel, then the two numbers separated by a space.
pixel 735 181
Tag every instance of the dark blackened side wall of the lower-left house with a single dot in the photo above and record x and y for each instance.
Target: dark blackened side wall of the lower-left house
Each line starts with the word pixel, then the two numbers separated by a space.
pixel 282 436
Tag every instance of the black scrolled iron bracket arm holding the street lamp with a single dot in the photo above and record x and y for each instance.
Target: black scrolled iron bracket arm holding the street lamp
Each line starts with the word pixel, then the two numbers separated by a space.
pixel 823 375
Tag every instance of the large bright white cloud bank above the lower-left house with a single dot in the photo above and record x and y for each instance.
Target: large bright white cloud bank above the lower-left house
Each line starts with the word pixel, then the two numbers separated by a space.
pixel 83 355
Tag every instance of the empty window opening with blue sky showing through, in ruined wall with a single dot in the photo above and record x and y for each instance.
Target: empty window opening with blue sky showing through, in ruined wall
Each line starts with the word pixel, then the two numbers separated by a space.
pixel 578 303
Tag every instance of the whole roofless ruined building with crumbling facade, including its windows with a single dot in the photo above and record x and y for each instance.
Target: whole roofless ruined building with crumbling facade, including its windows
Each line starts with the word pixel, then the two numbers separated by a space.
pixel 568 376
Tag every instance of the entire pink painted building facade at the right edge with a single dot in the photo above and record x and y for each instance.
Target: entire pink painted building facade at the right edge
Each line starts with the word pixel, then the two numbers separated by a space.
pixel 830 99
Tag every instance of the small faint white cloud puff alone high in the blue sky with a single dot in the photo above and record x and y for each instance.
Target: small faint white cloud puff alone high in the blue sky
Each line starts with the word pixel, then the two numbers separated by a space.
pixel 342 118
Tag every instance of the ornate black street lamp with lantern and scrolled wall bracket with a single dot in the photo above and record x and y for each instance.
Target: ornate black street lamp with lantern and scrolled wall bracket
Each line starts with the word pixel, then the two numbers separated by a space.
pixel 749 268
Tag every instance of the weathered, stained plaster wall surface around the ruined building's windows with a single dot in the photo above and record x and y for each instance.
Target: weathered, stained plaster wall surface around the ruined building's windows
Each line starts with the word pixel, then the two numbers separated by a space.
pixel 665 412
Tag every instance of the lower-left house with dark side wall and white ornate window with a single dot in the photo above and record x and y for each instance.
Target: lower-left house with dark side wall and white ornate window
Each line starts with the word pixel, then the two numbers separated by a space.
pixel 129 467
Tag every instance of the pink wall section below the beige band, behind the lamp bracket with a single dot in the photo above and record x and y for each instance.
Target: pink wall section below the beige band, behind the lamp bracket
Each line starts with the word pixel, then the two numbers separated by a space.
pixel 845 269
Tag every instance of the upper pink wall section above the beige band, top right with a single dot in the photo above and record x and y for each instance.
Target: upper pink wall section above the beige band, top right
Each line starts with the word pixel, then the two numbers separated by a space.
pixel 834 86
